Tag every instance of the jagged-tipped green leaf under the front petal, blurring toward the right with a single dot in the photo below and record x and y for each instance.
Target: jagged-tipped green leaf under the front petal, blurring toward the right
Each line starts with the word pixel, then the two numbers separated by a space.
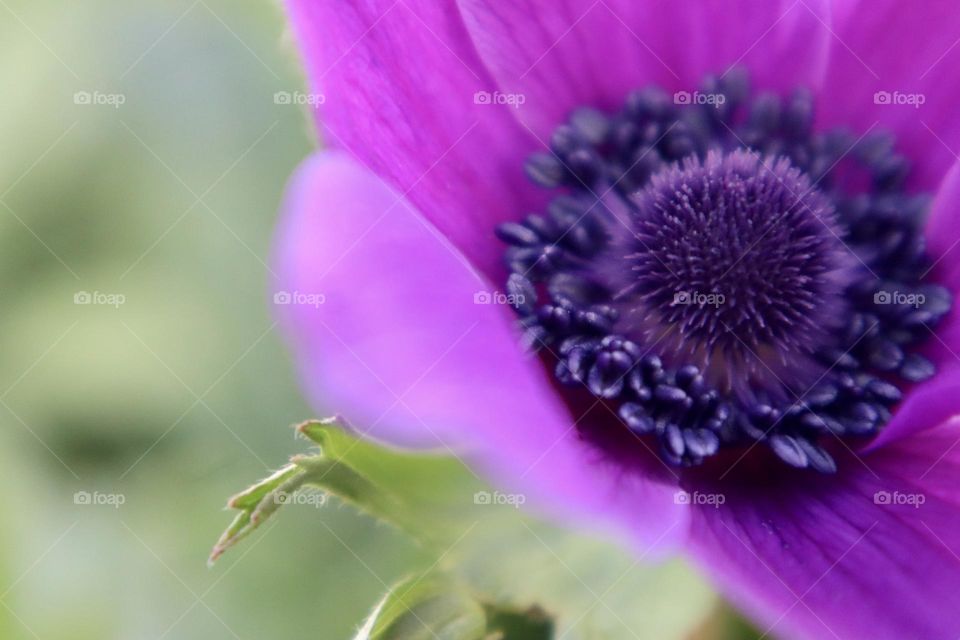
pixel 594 589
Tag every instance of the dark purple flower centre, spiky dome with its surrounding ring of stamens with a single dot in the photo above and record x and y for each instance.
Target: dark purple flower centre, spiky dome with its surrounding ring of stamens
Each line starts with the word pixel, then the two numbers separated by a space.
pixel 721 274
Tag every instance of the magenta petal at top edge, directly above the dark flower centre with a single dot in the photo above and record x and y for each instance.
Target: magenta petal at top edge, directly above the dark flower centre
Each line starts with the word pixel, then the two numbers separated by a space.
pixel 561 55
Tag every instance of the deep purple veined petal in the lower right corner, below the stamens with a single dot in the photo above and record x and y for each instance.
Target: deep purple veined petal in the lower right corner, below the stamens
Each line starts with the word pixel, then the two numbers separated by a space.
pixel 871 553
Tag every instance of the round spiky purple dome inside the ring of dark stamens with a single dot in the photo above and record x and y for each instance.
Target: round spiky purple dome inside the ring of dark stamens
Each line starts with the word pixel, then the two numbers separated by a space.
pixel 733 263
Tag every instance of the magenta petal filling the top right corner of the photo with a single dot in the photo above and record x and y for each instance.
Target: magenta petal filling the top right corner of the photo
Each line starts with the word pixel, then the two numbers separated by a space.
pixel 903 51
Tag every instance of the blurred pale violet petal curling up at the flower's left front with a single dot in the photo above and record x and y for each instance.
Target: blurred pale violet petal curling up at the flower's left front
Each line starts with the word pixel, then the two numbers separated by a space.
pixel 401 349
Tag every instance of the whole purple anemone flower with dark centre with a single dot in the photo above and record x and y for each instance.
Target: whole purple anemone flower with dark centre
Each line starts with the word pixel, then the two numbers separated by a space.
pixel 681 272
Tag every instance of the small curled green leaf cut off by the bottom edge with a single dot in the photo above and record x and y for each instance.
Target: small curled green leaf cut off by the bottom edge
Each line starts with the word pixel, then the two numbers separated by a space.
pixel 440 608
